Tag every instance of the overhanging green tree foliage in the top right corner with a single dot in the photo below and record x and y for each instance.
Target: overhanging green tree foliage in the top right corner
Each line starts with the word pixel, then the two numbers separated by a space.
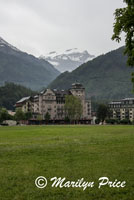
pixel 124 22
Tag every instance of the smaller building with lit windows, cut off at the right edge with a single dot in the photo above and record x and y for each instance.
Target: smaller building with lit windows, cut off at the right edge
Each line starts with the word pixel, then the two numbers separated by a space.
pixel 123 109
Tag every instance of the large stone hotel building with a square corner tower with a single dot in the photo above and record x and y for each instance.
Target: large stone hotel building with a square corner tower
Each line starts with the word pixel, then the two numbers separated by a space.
pixel 52 101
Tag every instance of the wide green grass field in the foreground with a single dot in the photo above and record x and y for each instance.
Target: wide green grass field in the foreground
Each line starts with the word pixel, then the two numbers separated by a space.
pixel 74 152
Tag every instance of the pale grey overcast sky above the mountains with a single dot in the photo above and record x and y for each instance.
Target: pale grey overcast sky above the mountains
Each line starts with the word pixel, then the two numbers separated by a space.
pixel 41 26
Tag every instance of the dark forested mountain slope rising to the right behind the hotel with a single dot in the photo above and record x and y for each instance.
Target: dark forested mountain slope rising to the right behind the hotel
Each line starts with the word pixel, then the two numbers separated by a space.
pixel 105 77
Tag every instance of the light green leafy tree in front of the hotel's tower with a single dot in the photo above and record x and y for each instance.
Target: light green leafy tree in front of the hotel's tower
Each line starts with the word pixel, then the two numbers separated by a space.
pixel 73 107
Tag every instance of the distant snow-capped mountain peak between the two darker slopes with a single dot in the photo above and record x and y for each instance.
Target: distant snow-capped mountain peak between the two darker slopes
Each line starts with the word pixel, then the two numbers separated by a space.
pixel 69 60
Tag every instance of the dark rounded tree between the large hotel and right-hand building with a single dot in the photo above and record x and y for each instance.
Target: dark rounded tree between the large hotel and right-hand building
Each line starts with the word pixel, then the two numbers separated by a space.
pixel 102 112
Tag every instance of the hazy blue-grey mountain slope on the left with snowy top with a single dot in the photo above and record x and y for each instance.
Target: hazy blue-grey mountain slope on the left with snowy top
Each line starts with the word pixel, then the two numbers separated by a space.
pixel 21 68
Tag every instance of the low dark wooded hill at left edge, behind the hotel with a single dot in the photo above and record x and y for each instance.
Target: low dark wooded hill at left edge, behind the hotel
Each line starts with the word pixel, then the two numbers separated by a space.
pixel 10 93
